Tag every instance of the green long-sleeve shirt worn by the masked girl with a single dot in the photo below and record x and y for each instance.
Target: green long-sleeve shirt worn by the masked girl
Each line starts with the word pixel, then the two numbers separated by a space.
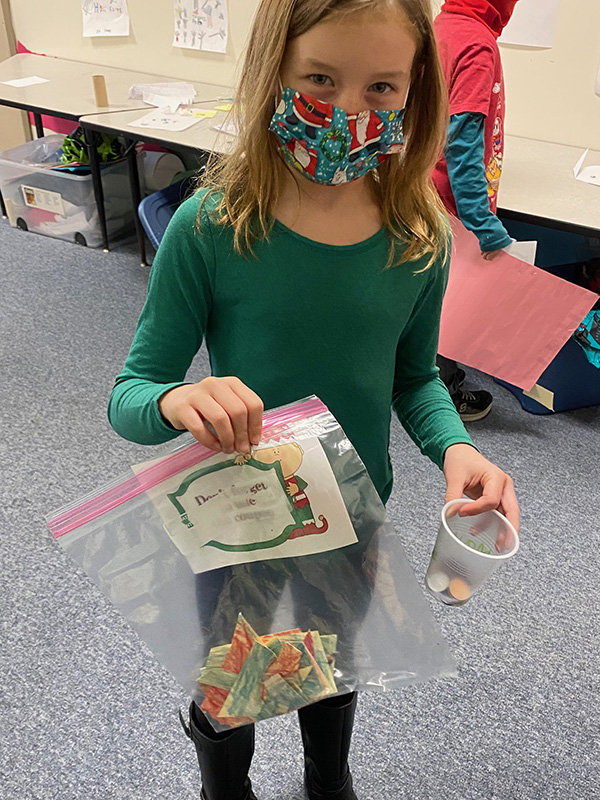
pixel 300 318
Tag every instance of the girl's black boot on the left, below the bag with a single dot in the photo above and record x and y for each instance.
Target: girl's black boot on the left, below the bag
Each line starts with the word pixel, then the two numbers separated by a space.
pixel 224 758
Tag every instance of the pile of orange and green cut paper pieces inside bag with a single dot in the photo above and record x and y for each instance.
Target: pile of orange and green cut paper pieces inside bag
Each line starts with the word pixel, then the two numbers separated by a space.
pixel 259 677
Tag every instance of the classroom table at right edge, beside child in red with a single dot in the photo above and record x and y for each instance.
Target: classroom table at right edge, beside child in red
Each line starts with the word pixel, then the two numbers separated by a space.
pixel 538 186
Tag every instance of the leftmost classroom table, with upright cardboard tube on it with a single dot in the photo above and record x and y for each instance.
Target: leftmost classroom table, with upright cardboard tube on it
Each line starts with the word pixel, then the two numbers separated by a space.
pixel 69 94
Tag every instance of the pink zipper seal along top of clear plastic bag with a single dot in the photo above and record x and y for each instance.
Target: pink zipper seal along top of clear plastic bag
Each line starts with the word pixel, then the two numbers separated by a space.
pixel 274 422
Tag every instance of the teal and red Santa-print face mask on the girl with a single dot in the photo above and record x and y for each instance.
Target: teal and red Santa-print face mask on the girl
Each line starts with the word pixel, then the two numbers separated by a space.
pixel 330 146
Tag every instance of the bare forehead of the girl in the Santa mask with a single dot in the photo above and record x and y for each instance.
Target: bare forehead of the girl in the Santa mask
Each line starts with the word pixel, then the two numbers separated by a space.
pixel 381 41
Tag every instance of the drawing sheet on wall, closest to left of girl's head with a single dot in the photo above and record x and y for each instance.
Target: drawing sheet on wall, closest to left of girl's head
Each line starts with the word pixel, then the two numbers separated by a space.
pixel 201 25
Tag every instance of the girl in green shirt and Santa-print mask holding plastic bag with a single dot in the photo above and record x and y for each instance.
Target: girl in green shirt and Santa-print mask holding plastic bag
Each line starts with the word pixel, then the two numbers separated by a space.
pixel 313 261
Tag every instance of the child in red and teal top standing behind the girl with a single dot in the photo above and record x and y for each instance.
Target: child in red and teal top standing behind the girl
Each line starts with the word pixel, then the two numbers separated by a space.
pixel 468 176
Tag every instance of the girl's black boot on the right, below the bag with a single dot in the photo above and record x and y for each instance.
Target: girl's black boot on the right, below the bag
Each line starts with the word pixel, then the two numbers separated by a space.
pixel 326 729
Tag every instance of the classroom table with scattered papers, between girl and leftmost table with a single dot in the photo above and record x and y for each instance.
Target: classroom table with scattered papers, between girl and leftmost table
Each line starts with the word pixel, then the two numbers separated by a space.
pixel 200 137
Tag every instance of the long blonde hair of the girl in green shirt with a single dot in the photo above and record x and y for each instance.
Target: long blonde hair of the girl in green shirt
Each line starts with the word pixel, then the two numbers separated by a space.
pixel 249 180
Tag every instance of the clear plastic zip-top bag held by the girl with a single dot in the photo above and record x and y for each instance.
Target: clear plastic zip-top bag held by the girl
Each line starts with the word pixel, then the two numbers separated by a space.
pixel 263 582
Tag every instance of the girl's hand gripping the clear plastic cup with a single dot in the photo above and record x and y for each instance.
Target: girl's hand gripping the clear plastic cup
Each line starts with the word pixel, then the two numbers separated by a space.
pixel 468 472
